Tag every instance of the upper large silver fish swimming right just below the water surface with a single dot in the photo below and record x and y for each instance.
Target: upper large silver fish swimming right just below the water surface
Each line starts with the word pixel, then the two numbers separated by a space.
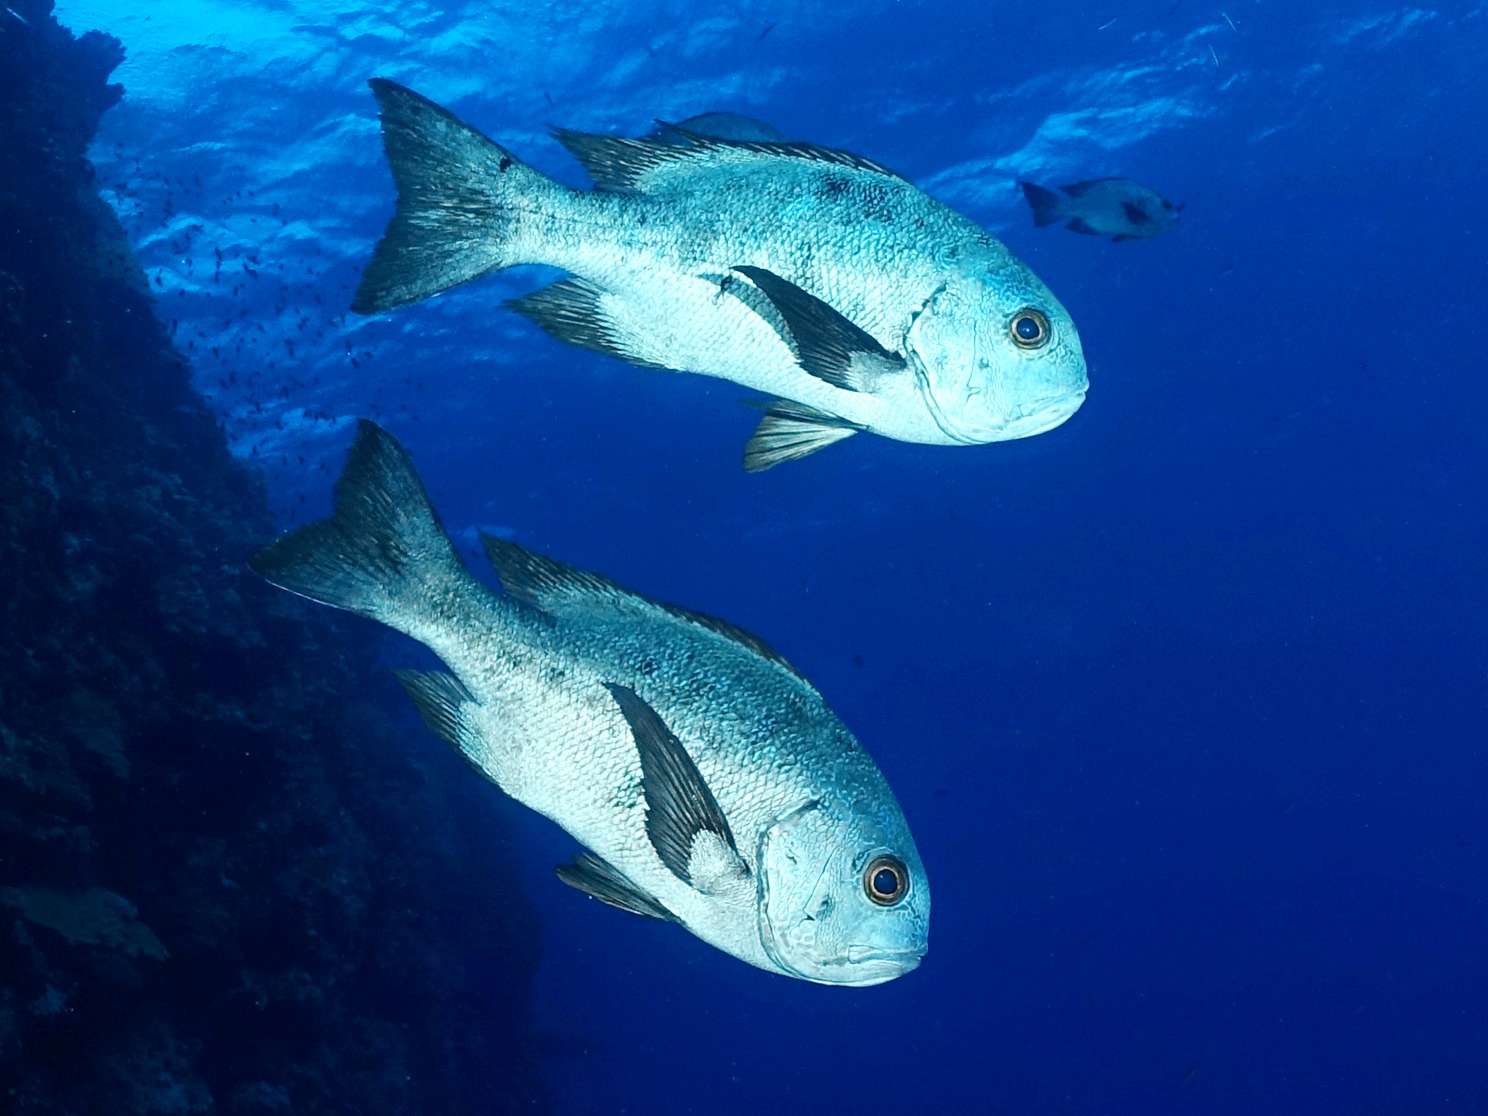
pixel 843 291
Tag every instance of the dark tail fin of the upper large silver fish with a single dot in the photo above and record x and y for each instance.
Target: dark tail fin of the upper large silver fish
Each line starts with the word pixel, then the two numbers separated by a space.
pixel 456 203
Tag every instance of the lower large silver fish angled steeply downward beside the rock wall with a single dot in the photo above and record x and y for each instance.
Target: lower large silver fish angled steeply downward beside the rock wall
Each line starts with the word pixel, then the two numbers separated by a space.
pixel 709 780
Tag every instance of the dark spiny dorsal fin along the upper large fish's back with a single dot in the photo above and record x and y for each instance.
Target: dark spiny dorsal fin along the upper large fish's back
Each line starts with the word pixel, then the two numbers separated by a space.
pixel 617 163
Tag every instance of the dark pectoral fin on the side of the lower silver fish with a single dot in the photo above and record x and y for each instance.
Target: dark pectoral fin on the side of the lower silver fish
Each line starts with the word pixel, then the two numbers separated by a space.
pixel 679 806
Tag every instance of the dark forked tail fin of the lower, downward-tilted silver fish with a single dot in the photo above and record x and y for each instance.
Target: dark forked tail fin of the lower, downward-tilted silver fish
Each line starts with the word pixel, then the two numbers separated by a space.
pixel 382 554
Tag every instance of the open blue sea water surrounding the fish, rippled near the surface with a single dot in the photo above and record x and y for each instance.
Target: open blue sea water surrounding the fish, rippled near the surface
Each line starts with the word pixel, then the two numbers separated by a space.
pixel 1187 702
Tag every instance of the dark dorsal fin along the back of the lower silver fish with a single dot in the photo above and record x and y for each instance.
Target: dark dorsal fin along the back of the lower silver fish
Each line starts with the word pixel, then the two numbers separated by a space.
pixel 563 590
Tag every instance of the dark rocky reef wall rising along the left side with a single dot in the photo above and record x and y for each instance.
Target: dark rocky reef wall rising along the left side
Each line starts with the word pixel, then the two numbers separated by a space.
pixel 225 886
